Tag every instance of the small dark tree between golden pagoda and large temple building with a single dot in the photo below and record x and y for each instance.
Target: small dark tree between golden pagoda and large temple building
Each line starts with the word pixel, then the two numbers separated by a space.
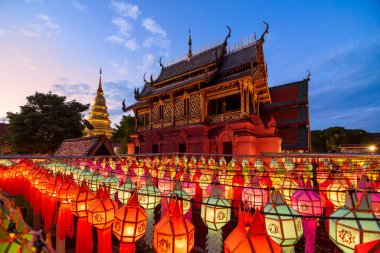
pixel 121 132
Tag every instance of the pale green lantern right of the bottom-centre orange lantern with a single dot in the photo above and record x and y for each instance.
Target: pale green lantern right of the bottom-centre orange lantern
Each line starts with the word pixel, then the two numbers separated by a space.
pixel 281 223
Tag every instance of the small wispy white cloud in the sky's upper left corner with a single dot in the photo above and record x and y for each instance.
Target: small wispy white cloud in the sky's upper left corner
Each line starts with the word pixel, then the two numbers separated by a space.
pixel 45 26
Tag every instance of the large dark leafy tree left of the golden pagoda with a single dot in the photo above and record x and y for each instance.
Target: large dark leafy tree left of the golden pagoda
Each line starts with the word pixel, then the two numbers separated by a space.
pixel 44 122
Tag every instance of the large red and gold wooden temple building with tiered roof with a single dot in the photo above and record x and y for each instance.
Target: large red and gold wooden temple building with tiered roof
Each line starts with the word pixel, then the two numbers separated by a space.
pixel 218 101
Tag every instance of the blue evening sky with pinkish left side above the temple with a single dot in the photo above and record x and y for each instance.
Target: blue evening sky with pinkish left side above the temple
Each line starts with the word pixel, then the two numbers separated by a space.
pixel 54 45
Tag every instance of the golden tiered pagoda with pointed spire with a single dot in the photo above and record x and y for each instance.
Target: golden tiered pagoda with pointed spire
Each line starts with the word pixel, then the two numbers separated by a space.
pixel 98 117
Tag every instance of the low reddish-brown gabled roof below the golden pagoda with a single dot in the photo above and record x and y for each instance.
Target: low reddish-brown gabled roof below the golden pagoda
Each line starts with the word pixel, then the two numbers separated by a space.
pixel 89 146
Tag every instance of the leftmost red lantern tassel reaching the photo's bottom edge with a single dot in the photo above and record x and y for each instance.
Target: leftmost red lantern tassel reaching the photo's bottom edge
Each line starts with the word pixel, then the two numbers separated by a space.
pixel 84 236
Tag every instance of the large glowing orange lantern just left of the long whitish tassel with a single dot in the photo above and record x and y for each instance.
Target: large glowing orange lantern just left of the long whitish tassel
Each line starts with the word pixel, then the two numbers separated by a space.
pixel 129 224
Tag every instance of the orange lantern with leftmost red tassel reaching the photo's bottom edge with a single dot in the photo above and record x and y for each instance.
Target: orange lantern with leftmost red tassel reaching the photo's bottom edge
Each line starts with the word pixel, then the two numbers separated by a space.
pixel 79 206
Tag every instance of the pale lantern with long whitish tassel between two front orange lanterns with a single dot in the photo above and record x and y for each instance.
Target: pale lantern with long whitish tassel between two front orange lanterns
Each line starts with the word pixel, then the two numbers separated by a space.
pixel 149 197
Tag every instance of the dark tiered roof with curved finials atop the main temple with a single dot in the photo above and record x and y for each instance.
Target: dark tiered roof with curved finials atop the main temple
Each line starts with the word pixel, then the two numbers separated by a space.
pixel 209 67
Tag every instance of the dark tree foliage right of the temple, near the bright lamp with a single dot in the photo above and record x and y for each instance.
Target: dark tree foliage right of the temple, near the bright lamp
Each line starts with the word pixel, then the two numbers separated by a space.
pixel 328 140
